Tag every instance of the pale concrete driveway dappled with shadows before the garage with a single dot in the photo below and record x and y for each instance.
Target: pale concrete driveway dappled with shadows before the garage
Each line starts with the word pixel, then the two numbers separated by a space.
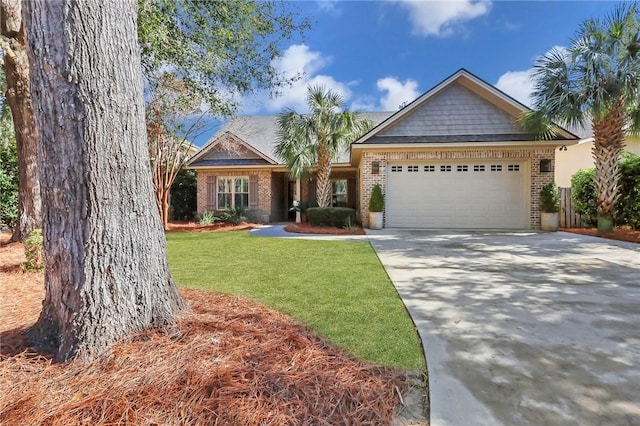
pixel 522 328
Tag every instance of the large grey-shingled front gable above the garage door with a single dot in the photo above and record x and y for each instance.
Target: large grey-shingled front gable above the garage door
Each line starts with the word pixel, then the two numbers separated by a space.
pixel 468 86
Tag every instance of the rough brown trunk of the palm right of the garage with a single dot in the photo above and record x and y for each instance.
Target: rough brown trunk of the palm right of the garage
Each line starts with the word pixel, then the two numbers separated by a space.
pixel 608 145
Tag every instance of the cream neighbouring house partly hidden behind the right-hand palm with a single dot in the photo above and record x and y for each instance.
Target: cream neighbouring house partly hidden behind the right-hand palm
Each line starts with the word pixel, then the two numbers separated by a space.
pixel 578 157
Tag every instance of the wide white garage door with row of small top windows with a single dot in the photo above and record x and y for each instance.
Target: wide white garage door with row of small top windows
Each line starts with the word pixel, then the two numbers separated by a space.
pixel 467 194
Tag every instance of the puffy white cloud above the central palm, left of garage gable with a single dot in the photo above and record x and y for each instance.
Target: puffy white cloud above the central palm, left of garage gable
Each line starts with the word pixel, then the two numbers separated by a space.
pixel 297 61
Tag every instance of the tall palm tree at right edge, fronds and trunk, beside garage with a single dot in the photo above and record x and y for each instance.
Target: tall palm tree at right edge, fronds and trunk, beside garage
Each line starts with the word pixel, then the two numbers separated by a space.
pixel 596 81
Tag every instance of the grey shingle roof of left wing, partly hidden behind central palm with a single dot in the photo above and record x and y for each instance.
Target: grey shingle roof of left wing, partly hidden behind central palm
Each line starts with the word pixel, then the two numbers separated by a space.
pixel 259 131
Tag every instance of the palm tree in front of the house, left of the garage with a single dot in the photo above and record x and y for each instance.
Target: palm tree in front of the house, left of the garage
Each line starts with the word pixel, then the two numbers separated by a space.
pixel 316 139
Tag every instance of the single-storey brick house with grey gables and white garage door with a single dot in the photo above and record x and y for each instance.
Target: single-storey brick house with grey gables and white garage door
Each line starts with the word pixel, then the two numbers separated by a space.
pixel 455 157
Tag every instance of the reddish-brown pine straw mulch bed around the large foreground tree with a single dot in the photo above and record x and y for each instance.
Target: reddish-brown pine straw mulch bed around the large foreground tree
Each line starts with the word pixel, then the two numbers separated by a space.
pixel 232 362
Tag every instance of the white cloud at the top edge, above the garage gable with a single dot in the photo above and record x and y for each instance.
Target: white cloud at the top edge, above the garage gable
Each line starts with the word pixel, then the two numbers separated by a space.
pixel 439 18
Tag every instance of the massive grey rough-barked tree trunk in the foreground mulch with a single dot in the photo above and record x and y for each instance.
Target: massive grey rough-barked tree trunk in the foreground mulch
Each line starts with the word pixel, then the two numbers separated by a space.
pixel 106 273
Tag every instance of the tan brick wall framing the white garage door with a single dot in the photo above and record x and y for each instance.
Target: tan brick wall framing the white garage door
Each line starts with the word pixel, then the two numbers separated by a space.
pixel 537 180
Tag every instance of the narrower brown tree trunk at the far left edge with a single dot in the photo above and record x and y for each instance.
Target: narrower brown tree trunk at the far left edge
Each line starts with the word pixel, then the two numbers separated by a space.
pixel 18 97
